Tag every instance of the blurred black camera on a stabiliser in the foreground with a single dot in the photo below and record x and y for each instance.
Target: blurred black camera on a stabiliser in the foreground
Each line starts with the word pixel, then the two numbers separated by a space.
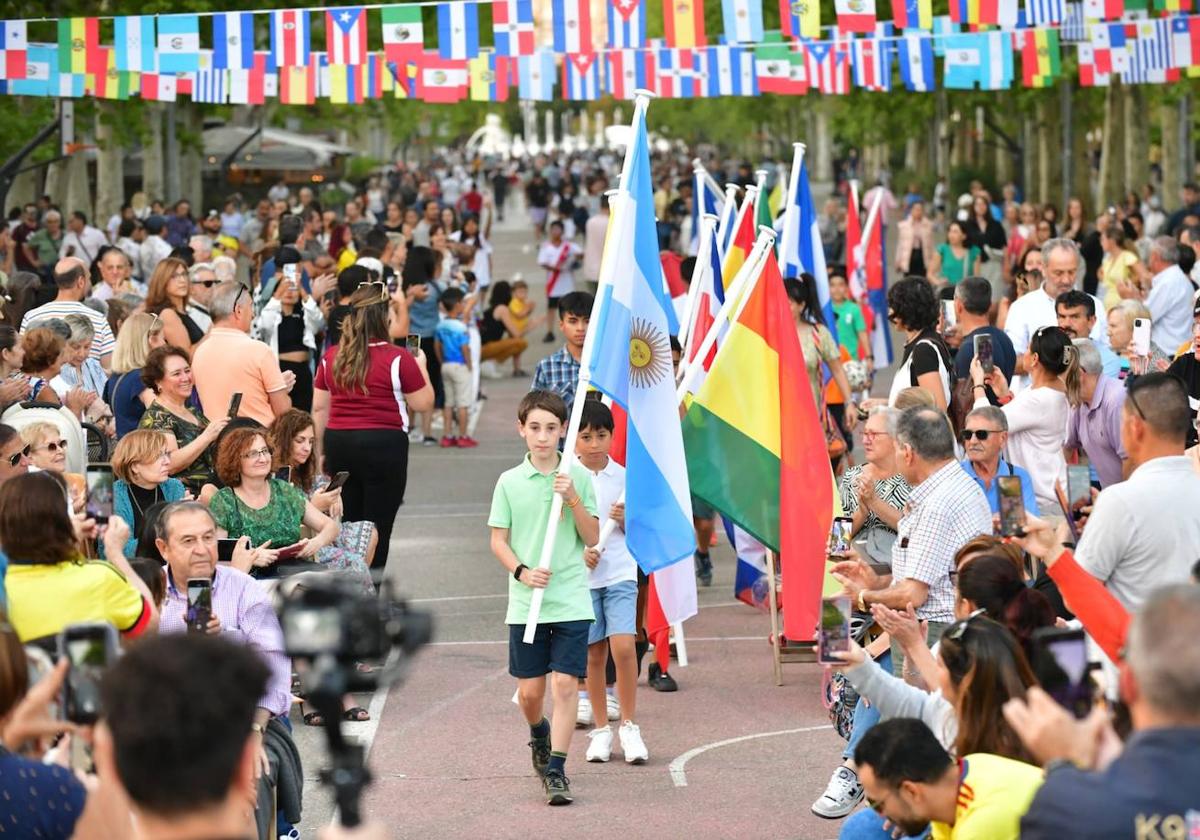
pixel 329 628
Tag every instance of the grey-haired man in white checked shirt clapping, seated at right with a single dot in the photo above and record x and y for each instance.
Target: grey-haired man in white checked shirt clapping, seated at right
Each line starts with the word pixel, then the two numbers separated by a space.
pixel 946 509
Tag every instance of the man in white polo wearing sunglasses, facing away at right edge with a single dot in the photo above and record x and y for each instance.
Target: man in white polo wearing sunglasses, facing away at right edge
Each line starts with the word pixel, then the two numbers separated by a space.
pixel 1144 532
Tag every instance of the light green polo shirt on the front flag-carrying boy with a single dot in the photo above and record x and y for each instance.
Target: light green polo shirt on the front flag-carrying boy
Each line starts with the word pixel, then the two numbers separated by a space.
pixel 521 503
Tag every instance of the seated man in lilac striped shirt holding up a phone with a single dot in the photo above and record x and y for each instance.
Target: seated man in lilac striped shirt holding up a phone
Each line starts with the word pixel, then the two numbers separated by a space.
pixel 243 611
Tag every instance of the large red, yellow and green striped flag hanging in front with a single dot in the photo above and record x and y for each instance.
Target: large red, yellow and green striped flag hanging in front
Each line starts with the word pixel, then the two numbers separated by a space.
pixel 757 451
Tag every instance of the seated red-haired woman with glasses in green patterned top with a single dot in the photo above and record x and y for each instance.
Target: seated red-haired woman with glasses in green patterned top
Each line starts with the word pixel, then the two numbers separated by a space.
pixel 266 509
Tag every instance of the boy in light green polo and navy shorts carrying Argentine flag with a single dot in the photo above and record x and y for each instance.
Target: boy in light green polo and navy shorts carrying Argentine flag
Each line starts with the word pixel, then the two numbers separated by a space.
pixel 520 507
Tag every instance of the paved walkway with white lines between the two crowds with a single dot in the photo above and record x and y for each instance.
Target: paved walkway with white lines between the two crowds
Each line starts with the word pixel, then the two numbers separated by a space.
pixel 731 755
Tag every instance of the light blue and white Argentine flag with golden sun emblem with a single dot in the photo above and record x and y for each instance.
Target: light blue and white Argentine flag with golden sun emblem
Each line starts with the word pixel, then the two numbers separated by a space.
pixel 632 364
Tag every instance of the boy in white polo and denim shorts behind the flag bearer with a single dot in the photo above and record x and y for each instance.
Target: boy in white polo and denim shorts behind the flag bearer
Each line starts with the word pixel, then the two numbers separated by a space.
pixel 614 584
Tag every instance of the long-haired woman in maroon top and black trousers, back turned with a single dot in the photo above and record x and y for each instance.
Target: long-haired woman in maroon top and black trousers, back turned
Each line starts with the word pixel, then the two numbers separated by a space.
pixel 363 393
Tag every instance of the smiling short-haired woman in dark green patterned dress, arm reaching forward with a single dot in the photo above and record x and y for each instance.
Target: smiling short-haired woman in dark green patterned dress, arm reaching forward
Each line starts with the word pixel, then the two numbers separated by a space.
pixel 191 439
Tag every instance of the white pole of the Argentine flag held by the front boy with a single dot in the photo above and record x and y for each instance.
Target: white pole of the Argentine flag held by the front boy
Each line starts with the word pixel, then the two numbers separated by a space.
pixel 641 103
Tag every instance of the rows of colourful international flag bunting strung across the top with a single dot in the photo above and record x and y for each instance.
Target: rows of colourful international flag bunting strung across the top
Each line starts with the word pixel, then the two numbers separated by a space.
pixel 243 59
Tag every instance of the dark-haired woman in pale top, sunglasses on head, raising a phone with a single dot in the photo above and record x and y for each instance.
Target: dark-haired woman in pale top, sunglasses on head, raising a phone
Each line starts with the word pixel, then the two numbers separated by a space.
pixel 1037 417
